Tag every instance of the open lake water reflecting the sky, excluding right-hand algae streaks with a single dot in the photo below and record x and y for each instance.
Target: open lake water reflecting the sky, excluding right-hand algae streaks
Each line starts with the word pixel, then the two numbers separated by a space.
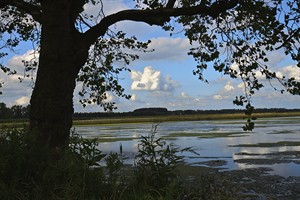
pixel 266 131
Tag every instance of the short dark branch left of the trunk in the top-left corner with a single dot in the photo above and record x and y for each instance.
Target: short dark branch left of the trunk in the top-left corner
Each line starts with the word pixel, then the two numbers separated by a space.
pixel 33 10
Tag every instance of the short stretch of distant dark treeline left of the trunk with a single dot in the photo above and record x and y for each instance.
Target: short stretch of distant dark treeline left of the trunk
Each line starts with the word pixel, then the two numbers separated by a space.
pixel 14 112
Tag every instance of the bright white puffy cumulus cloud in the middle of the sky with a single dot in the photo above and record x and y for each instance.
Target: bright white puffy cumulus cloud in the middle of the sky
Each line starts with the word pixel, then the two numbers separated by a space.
pixel 152 80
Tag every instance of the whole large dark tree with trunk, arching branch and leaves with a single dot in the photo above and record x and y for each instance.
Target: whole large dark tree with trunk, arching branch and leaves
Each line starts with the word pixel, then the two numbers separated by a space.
pixel 76 46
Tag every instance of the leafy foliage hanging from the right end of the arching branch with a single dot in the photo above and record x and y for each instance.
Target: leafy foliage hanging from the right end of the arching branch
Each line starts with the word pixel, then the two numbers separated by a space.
pixel 243 36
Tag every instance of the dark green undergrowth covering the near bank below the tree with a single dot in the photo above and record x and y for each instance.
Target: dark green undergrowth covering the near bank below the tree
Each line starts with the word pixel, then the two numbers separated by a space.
pixel 30 171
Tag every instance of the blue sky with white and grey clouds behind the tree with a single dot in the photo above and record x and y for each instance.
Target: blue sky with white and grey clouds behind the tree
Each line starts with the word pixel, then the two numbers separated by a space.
pixel 162 78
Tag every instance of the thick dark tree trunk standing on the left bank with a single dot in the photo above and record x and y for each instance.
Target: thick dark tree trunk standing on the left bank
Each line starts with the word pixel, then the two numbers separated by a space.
pixel 61 57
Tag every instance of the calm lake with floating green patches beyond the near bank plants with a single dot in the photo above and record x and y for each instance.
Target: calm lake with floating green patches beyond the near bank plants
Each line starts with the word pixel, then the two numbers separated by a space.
pixel 222 144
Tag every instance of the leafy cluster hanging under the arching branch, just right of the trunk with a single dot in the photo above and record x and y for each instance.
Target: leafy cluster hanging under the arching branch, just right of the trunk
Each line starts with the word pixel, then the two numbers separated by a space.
pixel 100 73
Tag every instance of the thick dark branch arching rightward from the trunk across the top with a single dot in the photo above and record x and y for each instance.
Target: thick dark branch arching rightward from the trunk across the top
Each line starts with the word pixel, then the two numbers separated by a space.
pixel 157 16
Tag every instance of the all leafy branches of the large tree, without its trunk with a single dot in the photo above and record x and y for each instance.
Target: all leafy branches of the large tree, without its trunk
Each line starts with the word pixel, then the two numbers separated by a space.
pixel 224 34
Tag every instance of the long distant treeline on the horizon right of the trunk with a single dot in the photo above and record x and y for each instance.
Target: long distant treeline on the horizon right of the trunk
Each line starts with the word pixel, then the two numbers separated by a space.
pixel 165 111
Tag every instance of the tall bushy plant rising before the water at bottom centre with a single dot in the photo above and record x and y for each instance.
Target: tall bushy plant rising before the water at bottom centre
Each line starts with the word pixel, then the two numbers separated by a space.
pixel 155 165
